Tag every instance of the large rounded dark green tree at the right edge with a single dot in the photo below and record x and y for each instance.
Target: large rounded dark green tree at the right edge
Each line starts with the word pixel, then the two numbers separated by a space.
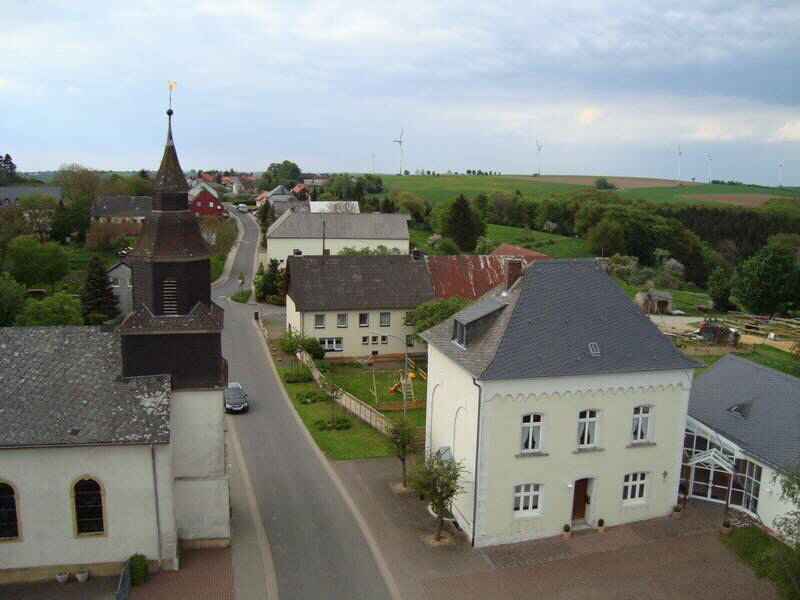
pixel 768 281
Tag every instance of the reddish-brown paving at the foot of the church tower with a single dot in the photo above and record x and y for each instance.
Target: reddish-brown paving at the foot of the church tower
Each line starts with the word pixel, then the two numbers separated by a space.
pixel 204 575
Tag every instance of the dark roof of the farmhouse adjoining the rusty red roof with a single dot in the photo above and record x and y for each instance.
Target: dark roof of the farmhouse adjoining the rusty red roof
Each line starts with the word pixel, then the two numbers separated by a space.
pixel 357 282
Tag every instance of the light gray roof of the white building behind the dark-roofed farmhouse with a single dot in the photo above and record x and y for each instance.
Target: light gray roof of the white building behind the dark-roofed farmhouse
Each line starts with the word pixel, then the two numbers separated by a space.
pixel 379 226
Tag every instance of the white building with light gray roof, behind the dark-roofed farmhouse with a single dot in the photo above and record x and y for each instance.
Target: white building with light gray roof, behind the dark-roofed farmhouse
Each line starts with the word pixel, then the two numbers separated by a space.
pixel 297 233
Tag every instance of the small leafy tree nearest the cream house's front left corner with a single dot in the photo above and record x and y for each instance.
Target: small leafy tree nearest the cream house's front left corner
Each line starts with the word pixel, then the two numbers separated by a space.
pixel 439 481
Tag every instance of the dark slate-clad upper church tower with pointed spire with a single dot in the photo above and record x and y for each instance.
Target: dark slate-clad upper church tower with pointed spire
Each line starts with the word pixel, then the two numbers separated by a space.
pixel 174 327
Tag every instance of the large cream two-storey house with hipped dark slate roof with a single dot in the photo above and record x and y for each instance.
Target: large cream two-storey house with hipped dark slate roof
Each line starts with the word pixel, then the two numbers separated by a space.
pixel 565 404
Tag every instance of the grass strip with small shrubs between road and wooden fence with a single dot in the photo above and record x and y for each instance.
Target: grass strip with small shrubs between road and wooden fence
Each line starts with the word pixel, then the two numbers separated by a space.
pixel 360 441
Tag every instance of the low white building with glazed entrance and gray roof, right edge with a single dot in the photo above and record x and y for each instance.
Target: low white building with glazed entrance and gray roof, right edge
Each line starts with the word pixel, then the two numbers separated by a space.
pixel 743 426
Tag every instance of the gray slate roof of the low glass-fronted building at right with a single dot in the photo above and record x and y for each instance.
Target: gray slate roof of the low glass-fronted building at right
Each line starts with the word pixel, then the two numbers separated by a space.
pixel 768 400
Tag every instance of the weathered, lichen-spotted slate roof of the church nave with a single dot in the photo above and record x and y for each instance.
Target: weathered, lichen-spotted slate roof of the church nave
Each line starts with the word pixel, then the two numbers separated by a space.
pixel 62 386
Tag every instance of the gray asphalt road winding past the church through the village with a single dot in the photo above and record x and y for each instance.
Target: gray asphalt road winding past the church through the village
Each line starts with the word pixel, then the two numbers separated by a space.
pixel 317 547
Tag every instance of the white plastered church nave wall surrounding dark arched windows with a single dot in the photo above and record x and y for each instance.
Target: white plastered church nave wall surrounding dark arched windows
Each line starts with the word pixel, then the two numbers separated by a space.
pixel 43 479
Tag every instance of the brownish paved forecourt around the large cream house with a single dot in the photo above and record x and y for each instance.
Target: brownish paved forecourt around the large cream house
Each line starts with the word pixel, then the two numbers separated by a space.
pixel 658 558
